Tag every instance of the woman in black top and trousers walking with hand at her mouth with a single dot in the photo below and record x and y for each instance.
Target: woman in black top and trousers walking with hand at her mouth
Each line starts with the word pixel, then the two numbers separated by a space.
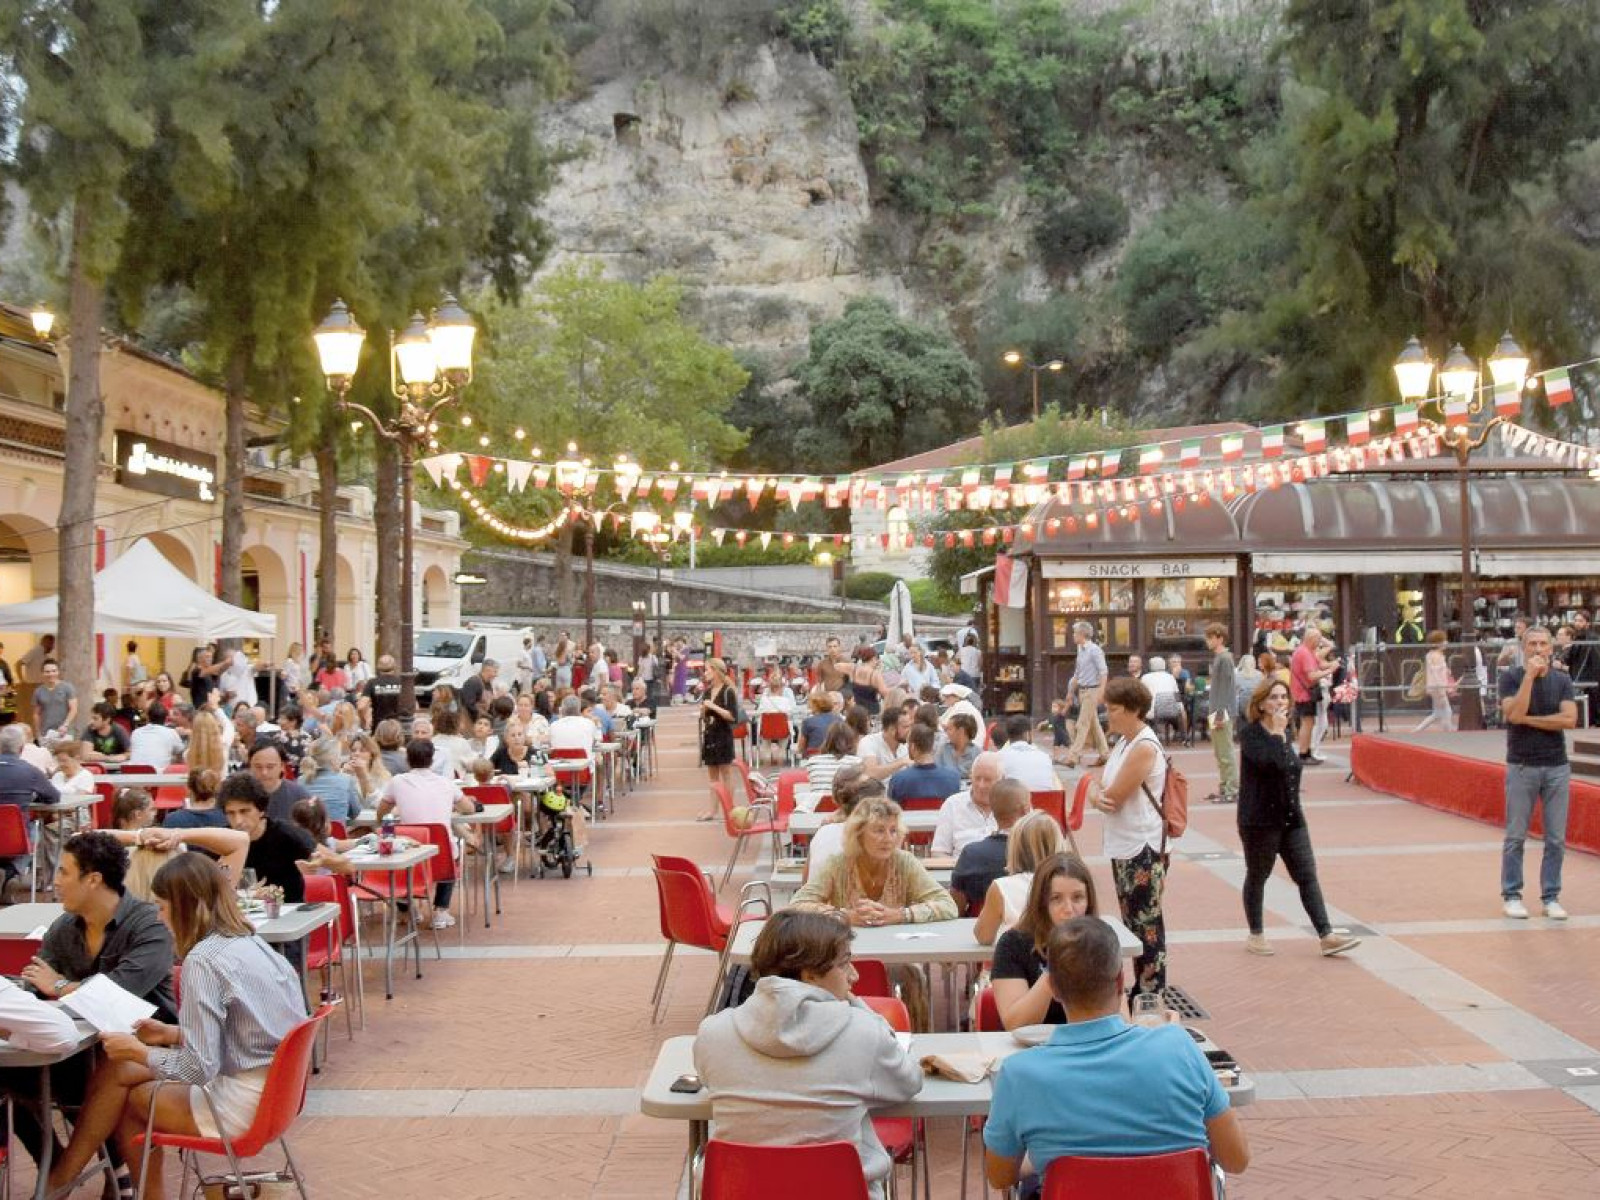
pixel 1271 818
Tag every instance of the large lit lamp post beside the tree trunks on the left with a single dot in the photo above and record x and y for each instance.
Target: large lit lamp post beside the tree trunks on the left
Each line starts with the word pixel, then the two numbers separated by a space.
pixel 430 366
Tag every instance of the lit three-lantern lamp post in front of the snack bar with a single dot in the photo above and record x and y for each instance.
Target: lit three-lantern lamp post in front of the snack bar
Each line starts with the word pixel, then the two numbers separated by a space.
pixel 1460 378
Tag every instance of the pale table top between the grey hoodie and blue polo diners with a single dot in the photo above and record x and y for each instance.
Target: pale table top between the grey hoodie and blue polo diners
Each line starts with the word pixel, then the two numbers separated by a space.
pixel 938 1097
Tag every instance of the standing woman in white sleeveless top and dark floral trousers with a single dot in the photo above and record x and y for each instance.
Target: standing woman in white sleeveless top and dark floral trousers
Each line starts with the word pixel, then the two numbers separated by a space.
pixel 1129 794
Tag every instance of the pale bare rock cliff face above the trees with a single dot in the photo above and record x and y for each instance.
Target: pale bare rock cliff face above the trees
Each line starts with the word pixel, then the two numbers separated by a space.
pixel 745 182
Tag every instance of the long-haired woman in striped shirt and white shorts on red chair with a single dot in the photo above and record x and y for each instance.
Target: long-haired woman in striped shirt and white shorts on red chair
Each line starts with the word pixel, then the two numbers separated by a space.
pixel 241 1001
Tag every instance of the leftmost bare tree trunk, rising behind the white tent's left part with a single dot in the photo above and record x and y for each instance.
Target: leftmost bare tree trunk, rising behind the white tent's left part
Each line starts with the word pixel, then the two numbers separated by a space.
pixel 81 470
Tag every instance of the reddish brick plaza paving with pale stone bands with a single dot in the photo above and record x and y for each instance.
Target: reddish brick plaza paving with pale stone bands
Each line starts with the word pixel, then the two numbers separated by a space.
pixel 1454 1055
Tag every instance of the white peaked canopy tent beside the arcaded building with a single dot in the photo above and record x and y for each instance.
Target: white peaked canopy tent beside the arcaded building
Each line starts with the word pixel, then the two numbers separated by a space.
pixel 142 593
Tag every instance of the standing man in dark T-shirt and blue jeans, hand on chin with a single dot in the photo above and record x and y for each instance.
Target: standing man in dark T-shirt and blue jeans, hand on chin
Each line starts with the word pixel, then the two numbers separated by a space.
pixel 1540 706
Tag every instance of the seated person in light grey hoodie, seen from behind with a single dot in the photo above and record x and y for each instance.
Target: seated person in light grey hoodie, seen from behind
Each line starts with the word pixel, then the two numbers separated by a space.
pixel 802 1060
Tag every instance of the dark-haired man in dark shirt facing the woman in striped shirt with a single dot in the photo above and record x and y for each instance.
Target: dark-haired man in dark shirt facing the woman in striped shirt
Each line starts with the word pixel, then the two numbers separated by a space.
pixel 135 953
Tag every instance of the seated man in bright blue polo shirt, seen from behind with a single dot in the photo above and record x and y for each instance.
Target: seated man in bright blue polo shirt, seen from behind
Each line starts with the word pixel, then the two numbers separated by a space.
pixel 1102 1087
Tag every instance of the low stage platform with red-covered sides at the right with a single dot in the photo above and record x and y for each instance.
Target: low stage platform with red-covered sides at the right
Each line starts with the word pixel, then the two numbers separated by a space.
pixel 1462 774
